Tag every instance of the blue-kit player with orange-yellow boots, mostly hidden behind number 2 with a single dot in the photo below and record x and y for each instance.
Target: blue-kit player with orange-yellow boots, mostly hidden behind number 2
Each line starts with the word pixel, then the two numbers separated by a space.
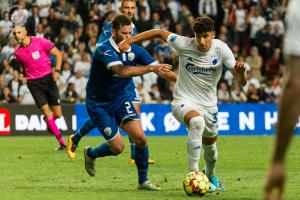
pixel 128 8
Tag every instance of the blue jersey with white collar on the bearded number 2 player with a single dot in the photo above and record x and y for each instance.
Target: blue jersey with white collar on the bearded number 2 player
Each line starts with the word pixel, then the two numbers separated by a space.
pixel 103 85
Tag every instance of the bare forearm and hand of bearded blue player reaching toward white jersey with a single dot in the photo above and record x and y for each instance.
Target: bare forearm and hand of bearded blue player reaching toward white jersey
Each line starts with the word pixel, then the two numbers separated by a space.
pixel 132 71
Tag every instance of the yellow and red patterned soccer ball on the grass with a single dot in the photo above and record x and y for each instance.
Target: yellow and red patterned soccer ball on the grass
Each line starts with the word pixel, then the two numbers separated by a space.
pixel 196 183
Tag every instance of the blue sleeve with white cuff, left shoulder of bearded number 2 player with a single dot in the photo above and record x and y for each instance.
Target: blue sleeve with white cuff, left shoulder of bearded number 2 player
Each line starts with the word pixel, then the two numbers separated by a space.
pixel 106 55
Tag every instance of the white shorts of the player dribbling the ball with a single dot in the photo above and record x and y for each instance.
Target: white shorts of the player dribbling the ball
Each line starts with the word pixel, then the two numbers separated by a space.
pixel 180 108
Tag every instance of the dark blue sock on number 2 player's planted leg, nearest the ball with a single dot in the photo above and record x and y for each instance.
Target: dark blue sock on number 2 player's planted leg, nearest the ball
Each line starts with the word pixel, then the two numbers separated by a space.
pixel 141 160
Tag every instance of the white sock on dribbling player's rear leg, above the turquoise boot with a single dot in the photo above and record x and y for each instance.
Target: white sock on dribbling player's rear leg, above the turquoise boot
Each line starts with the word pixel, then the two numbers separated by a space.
pixel 210 156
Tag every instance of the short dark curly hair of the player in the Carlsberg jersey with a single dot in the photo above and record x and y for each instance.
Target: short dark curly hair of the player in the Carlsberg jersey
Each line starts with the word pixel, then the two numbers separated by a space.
pixel 203 25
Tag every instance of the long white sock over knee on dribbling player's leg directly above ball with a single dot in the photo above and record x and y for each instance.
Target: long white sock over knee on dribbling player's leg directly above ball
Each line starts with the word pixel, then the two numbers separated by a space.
pixel 195 131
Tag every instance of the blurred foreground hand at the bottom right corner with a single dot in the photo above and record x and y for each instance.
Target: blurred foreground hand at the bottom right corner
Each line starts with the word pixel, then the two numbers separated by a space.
pixel 275 181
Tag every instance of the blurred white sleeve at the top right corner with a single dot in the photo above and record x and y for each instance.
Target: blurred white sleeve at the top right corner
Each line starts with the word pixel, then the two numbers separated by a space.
pixel 292 39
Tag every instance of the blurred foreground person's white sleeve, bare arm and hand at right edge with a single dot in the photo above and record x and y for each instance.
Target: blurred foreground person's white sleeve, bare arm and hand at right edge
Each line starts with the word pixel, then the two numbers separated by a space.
pixel 289 105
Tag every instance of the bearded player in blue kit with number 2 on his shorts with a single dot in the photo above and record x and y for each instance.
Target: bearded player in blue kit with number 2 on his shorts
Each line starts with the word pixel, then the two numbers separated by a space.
pixel 108 104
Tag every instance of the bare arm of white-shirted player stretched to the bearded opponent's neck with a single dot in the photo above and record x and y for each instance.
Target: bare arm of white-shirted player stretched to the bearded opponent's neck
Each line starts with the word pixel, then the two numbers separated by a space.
pixel 147 35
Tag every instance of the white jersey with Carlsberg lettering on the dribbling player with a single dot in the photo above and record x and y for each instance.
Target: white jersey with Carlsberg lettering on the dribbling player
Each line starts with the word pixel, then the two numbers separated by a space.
pixel 199 72
